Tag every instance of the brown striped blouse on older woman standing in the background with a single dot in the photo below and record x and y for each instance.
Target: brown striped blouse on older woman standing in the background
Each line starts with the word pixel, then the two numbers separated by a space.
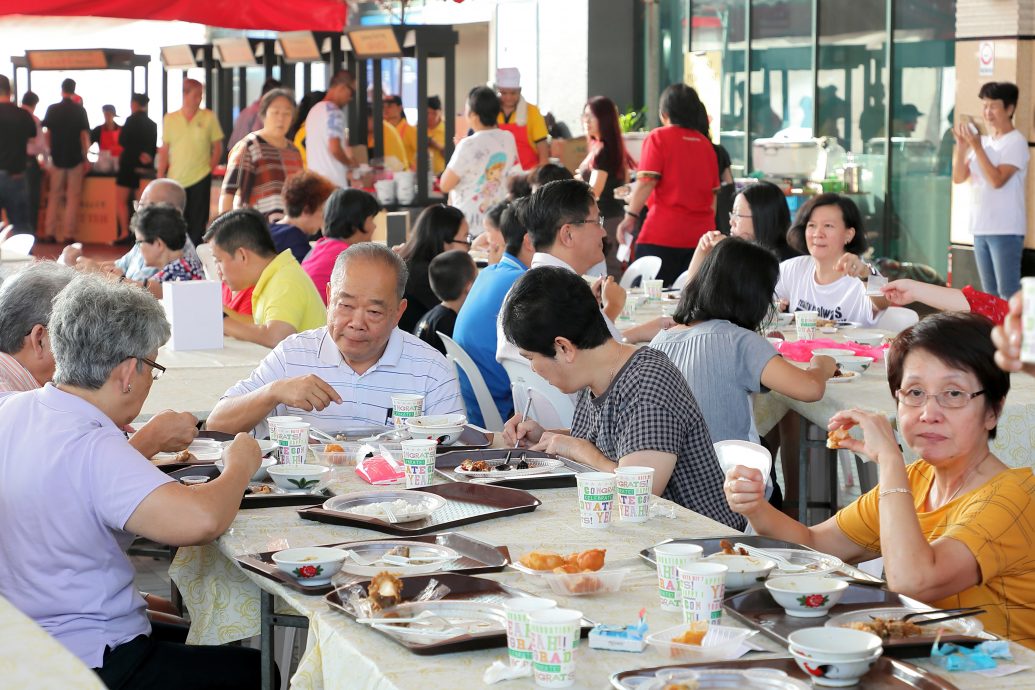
pixel 256 171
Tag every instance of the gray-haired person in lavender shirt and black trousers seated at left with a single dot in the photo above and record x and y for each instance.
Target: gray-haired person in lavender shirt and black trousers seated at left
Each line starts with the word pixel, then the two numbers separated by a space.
pixel 74 493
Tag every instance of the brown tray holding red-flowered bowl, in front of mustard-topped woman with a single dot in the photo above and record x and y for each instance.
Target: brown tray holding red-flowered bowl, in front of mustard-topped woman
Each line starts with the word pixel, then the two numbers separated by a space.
pixel 758 610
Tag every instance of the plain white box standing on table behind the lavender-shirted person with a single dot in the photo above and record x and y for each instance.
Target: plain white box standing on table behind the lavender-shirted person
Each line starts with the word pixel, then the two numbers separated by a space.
pixel 195 312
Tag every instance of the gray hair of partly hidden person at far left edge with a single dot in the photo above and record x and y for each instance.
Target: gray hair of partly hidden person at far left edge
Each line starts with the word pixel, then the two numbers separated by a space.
pixel 26 301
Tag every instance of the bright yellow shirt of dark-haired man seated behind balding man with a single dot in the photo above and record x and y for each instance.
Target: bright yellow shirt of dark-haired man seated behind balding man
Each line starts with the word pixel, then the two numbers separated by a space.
pixel 286 293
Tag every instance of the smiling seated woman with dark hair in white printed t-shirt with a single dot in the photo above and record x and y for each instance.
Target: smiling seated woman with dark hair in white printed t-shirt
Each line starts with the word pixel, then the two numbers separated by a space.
pixel 829 280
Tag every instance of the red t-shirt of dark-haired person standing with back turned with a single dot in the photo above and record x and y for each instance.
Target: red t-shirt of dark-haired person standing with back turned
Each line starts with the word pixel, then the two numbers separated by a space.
pixel 682 204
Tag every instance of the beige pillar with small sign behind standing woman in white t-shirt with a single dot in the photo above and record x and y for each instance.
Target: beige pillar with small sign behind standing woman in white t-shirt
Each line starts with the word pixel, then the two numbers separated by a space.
pixel 1009 26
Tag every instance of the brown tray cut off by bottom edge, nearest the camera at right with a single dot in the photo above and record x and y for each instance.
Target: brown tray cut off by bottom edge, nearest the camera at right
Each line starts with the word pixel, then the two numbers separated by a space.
pixel 885 675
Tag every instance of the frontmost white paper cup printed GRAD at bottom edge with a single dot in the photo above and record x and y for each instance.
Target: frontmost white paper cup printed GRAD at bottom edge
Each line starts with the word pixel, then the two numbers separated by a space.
pixel 555 638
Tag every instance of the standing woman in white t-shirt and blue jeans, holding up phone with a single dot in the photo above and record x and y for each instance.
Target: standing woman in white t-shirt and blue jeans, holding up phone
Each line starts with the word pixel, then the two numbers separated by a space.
pixel 996 166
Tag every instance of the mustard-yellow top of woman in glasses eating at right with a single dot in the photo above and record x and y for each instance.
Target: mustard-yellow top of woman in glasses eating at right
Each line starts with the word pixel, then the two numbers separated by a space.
pixel 995 522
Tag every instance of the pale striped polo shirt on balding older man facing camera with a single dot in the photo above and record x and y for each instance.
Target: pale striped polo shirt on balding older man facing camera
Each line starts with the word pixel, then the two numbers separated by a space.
pixel 408 366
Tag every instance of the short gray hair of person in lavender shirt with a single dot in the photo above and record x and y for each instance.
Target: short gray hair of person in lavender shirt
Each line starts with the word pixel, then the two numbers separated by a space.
pixel 97 325
